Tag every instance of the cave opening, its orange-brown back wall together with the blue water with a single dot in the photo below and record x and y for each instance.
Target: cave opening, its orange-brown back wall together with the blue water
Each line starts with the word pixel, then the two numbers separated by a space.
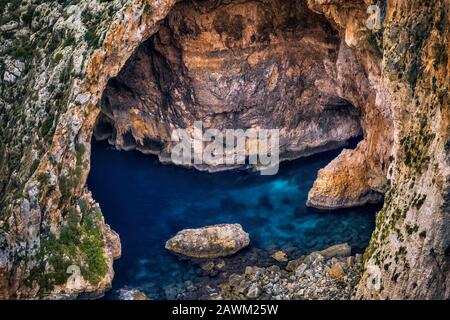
pixel 231 64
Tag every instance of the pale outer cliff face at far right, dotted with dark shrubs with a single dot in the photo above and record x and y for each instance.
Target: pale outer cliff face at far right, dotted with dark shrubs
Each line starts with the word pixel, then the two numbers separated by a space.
pixel 411 243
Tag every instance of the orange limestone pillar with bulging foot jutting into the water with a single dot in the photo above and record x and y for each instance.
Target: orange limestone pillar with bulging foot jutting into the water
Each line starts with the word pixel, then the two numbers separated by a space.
pixel 357 177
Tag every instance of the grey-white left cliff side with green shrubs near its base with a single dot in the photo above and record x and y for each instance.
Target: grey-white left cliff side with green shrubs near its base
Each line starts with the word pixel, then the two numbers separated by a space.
pixel 56 60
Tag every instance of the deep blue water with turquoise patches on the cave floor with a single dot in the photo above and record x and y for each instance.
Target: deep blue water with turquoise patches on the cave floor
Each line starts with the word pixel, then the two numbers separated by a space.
pixel 147 203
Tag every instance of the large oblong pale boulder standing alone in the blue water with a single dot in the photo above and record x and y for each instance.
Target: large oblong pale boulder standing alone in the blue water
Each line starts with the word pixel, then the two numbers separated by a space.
pixel 209 242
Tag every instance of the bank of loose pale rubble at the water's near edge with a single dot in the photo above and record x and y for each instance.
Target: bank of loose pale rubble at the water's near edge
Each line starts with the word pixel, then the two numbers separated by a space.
pixel 311 277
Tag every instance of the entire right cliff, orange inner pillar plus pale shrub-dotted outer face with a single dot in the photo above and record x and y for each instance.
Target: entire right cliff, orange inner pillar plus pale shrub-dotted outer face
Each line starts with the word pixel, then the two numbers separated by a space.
pixel 410 248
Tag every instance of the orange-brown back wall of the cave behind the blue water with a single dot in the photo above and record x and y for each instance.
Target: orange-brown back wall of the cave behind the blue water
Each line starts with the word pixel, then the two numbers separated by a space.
pixel 239 64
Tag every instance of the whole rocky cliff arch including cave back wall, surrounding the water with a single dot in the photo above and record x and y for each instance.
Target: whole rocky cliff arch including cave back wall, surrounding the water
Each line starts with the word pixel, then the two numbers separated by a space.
pixel 131 70
